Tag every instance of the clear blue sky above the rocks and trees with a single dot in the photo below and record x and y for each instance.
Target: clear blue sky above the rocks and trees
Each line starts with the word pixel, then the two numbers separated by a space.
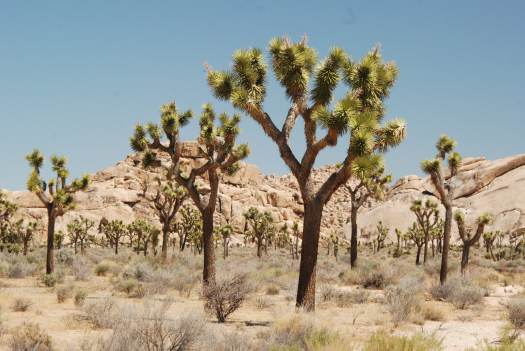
pixel 76 76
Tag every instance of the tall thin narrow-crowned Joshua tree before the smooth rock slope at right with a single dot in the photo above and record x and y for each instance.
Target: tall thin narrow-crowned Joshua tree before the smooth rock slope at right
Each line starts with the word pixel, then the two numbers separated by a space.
pixel 445 187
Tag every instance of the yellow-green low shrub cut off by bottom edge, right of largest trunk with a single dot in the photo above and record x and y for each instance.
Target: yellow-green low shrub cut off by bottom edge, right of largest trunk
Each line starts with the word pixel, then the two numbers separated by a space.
pixel 417 342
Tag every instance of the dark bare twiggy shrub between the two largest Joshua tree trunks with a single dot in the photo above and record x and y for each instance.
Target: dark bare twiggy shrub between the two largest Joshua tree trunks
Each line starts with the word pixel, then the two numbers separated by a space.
pixel 225 296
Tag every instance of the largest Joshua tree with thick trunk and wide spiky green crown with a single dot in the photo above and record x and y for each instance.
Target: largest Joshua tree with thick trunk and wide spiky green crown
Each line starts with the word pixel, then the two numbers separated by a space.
pixel 358 113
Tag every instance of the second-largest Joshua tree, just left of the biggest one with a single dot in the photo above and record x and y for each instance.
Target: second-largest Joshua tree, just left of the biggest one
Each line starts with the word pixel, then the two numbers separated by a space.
pixel 217 144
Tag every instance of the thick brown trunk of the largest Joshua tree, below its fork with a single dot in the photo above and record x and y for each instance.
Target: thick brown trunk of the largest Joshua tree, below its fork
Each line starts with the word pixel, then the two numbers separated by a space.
pixel 308 266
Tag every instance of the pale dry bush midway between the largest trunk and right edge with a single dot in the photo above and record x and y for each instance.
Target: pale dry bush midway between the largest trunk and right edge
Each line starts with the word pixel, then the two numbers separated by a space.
pixel 403 299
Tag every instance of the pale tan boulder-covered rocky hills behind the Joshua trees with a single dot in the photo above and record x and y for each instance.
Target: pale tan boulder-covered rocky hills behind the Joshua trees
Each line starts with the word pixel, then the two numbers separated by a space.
pixel 119 192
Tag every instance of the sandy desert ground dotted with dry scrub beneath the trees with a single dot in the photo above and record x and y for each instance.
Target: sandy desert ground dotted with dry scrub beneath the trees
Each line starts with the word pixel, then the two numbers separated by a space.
pixel 98 293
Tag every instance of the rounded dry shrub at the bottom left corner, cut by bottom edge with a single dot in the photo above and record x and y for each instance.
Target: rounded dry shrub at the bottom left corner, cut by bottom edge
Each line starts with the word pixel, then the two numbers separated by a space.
pixel 29 337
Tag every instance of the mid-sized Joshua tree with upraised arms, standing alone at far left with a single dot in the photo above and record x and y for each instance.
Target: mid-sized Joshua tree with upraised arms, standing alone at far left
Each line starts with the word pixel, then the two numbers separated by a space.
pixel 56 195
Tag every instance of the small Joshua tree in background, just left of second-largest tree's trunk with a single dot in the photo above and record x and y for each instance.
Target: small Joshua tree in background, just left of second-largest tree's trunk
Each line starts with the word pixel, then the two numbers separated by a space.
pixel 167 201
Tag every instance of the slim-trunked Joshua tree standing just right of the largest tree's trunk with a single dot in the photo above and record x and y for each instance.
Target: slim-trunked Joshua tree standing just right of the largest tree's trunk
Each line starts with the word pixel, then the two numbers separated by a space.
pixel 368 171
